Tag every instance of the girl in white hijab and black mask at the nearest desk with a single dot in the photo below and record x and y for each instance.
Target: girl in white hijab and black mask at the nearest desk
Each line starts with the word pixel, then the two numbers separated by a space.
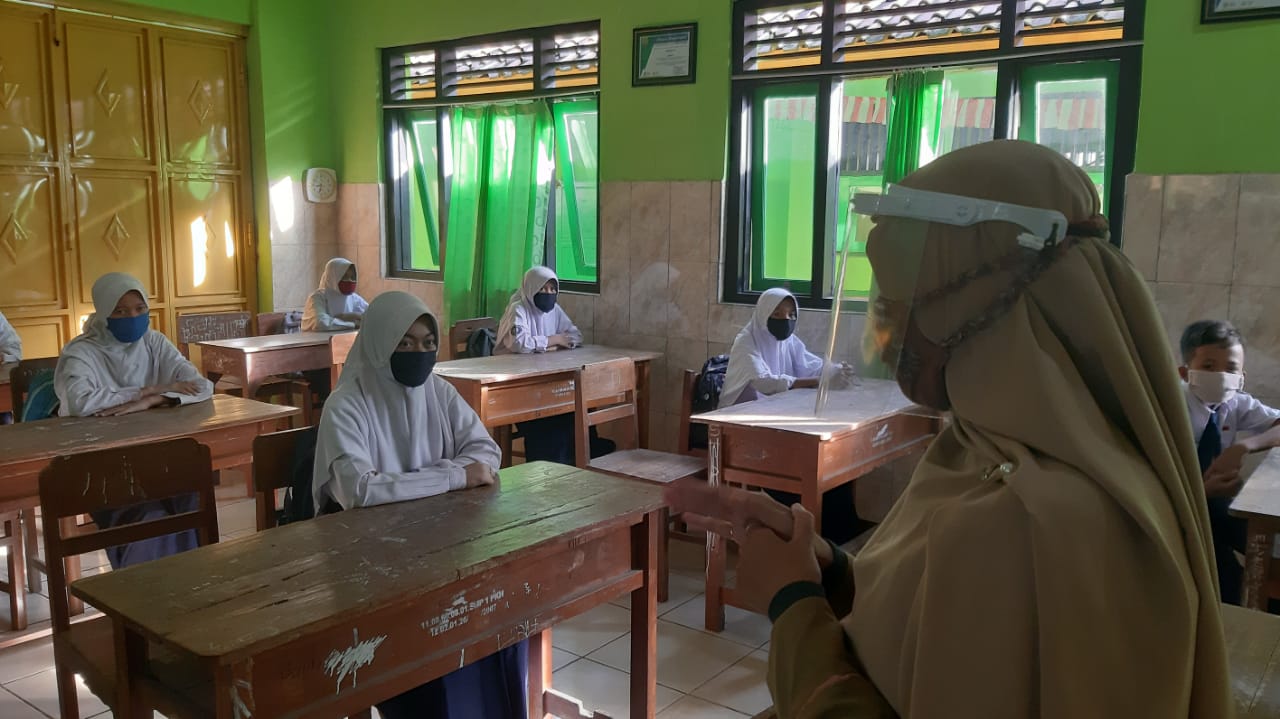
pixel 395 432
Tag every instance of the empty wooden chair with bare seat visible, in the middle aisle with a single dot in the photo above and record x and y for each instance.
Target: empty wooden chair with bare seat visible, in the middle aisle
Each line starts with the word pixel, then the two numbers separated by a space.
pixel 606 392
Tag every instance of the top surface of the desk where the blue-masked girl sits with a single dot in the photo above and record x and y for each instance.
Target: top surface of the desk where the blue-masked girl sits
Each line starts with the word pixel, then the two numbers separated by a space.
pixel 56 437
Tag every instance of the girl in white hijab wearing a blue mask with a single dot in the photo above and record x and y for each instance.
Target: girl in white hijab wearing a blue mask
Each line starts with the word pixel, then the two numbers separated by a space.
pixel 120 367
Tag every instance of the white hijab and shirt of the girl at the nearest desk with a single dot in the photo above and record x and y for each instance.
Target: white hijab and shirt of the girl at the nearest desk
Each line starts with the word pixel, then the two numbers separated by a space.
pixel 381 442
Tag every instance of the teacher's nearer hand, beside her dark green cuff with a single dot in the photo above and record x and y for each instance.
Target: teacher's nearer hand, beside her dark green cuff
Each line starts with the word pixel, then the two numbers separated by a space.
pixel 767 562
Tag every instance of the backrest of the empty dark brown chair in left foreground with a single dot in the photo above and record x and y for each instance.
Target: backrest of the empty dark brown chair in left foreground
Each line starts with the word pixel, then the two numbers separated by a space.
pixel 113 479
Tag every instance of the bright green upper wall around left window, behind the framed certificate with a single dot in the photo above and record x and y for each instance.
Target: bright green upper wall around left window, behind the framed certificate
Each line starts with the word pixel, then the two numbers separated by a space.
pixel 646 134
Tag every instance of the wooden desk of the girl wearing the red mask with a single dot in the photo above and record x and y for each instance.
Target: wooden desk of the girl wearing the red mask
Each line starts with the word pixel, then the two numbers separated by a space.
pixel 252 360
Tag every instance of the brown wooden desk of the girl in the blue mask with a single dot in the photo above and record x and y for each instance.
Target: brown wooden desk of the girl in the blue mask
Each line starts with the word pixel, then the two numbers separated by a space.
pixel 226 424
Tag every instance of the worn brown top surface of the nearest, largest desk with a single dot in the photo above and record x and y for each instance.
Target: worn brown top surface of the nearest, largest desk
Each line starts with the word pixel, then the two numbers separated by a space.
pixel 252 594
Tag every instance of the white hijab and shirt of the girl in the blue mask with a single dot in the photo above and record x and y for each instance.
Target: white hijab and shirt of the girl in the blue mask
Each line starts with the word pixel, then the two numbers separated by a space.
pixel 98 372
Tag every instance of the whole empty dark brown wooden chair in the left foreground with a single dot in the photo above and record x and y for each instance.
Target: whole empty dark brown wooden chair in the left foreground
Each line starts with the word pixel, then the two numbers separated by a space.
pixel 117 478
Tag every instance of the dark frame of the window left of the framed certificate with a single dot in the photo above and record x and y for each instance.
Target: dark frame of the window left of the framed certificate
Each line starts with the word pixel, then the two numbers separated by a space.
pixel 397 193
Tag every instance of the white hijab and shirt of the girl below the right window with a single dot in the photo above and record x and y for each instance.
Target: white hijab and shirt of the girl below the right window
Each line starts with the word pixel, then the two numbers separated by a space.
pixel 761 365
